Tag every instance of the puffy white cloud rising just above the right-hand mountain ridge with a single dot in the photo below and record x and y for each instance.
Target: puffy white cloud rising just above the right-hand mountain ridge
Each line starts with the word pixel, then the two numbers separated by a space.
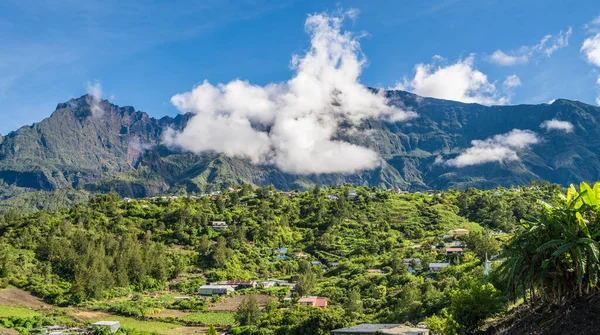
pixel 459 81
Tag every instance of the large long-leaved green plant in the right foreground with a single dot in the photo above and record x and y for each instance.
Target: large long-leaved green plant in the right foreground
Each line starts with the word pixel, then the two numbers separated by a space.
pixel 555 257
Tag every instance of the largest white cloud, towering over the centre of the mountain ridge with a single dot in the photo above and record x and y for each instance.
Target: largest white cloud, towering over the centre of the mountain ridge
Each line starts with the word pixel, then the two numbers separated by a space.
pixel 291 124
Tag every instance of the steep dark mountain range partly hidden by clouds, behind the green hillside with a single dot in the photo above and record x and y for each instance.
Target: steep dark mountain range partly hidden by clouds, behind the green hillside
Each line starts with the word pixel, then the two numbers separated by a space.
pixel 120 150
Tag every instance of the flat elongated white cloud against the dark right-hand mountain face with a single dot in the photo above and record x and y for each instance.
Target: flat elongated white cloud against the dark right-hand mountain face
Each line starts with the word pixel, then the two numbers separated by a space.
pixel 498 148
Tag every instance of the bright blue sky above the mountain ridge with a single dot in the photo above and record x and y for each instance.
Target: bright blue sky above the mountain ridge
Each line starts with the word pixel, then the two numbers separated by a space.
pixel 145 52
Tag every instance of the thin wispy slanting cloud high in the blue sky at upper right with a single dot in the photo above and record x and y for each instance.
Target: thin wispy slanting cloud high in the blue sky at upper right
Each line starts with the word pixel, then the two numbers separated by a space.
pixel 547 45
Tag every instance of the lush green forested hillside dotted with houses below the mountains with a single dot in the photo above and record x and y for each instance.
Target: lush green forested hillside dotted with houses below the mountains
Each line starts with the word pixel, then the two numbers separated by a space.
pixel 348 244
